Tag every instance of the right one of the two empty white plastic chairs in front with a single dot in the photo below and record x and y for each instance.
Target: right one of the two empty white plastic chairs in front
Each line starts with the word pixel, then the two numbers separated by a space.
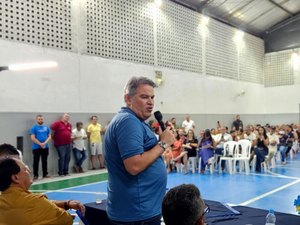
pixel 243 156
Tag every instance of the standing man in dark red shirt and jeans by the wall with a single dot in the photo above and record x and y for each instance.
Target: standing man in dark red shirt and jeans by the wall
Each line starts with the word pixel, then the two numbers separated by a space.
pixel 61 134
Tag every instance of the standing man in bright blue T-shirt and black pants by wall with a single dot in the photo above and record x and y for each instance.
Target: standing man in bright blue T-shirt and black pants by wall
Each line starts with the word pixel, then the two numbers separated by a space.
pixel 40 135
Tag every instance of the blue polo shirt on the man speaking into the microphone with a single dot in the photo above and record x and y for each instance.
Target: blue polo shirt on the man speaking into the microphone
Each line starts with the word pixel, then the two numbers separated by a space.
pixel 139 197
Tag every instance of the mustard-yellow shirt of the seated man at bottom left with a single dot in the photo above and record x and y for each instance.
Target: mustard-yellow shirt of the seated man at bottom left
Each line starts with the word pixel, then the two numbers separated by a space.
pixel 21 207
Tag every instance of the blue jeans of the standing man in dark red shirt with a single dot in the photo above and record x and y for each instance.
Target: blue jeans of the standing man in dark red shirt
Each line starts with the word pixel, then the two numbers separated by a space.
pixel 64 154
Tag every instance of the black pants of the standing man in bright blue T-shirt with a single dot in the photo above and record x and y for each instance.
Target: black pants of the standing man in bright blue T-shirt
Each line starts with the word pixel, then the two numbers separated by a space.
pixel 37 154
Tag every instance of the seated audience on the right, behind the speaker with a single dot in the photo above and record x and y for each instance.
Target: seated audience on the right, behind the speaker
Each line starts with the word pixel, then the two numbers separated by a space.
pixel 266 141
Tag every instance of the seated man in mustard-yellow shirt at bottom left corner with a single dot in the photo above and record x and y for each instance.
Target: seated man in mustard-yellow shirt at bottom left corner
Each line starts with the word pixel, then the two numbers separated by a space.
pixel 18 206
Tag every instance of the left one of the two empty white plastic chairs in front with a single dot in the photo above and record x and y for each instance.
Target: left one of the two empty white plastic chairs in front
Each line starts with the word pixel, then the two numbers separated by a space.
pixel 230 151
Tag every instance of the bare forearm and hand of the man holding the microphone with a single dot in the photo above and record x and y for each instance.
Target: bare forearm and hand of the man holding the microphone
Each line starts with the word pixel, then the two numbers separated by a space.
pixel 138 163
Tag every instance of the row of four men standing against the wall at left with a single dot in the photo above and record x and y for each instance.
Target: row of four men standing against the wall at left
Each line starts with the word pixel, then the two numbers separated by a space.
pixel 66 140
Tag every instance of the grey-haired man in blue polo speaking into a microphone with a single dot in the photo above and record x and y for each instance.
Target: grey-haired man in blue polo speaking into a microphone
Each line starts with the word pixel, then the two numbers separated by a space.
pixel 136 171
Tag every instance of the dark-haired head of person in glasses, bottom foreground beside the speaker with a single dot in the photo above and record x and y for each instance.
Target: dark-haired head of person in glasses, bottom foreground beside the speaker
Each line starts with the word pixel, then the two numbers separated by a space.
pixel 183 205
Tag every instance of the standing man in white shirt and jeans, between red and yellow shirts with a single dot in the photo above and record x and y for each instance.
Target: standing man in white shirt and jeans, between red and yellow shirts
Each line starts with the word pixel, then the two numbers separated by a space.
pixel 78 136
